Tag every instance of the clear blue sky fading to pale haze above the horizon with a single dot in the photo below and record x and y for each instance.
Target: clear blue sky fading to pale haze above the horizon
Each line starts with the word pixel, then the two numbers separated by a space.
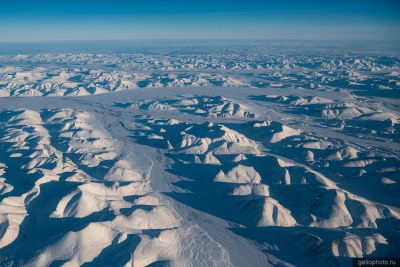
pixel 50 20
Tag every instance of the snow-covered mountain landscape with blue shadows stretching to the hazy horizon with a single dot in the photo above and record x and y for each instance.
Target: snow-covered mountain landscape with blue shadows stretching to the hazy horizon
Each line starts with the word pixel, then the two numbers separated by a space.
pixel 221 159
